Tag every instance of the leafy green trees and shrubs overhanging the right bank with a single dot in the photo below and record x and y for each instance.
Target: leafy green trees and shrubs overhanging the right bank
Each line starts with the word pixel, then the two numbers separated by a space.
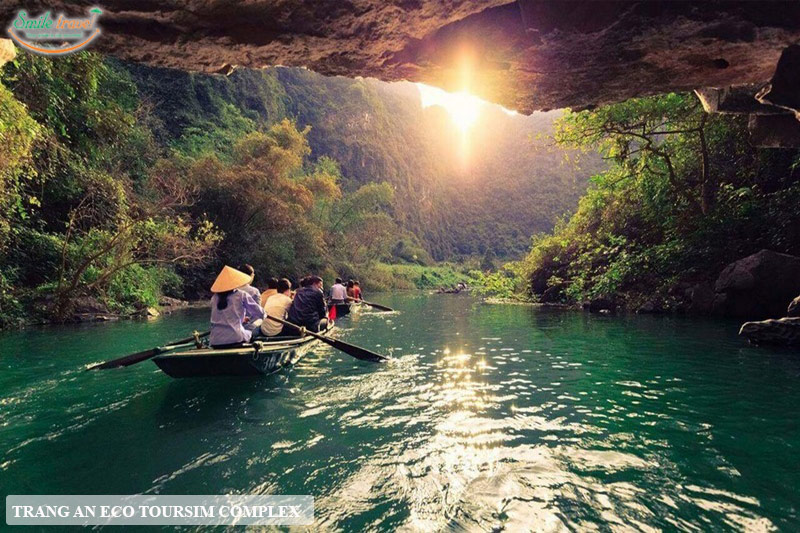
pixel 686 194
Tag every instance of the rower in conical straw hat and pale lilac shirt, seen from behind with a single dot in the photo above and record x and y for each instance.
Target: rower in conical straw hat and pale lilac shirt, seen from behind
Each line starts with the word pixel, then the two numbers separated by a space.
pixel 231 308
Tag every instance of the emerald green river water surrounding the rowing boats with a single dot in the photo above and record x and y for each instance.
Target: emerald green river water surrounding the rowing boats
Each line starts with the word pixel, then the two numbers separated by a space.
pixel 491 416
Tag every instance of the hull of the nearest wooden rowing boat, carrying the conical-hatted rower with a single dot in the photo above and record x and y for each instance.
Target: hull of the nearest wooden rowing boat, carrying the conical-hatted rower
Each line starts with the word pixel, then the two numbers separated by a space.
pixel 257 358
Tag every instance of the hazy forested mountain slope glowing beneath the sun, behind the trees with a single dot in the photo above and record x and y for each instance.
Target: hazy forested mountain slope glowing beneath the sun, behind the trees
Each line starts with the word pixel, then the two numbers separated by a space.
pixel 512 184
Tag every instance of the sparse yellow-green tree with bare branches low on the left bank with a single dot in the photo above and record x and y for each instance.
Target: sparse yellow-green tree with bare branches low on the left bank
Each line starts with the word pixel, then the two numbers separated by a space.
pixel 149 228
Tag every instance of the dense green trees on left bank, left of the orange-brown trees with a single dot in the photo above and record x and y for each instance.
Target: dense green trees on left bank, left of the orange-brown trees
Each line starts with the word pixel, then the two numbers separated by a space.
pixel 89 213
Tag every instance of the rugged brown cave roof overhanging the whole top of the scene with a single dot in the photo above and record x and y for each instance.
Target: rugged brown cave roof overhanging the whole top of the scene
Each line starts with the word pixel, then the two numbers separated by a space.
pixel 525 55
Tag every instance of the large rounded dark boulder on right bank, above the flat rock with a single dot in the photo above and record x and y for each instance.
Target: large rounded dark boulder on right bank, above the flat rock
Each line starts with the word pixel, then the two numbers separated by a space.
pixel 758 286
